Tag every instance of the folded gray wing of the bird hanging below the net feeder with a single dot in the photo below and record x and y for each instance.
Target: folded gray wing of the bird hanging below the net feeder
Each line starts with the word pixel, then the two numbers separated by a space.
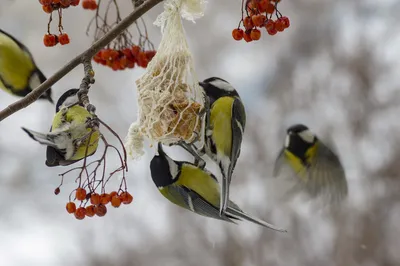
pixel 192 201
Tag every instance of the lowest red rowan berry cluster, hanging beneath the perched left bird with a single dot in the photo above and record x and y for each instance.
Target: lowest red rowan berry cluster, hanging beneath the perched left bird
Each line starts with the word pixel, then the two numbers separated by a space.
pixel 98 202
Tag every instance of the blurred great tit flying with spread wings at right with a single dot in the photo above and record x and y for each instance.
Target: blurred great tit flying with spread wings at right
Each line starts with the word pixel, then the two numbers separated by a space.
pixel 315 168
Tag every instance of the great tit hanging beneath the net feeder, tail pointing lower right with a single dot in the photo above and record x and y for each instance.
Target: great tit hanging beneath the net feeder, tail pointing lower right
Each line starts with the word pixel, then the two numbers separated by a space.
pixel 194 189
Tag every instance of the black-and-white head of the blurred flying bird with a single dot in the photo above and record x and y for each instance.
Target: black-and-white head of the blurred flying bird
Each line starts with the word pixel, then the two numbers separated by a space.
pixel 299 139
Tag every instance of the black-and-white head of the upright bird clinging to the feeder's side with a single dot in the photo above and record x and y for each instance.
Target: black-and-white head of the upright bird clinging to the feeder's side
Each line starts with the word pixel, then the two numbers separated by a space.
pixel 216 87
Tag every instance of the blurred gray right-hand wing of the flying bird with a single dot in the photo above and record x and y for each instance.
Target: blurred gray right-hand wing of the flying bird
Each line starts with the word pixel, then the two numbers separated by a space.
pixel 327 175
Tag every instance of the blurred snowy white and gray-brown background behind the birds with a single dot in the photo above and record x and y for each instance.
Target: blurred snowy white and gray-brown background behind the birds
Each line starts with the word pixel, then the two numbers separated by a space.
pixel 335 69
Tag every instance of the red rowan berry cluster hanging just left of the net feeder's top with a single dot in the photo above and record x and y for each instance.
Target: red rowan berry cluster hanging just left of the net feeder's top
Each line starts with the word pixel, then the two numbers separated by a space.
pixel 120 59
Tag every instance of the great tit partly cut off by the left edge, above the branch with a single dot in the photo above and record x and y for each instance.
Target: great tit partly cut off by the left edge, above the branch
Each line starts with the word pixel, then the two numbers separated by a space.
pixel 19 74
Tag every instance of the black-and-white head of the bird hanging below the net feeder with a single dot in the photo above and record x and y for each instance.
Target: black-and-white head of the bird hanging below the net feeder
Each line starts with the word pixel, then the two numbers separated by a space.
pixel 164 170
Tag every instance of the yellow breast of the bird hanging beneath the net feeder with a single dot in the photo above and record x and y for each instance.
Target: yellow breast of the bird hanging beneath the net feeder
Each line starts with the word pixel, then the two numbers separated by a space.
pixel 201 182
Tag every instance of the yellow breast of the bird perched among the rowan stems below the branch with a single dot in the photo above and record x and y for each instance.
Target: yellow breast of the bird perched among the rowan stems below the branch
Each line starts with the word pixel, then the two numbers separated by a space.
pixel 78 115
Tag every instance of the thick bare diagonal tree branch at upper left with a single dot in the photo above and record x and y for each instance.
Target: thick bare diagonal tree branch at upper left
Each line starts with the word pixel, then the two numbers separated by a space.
pixel 89 53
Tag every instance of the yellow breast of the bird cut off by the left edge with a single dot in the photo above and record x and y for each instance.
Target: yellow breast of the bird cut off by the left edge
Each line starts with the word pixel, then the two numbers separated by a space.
pixel 16 65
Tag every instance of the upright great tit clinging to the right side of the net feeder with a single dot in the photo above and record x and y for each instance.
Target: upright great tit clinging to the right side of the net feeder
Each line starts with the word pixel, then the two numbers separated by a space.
pixel 225 124
